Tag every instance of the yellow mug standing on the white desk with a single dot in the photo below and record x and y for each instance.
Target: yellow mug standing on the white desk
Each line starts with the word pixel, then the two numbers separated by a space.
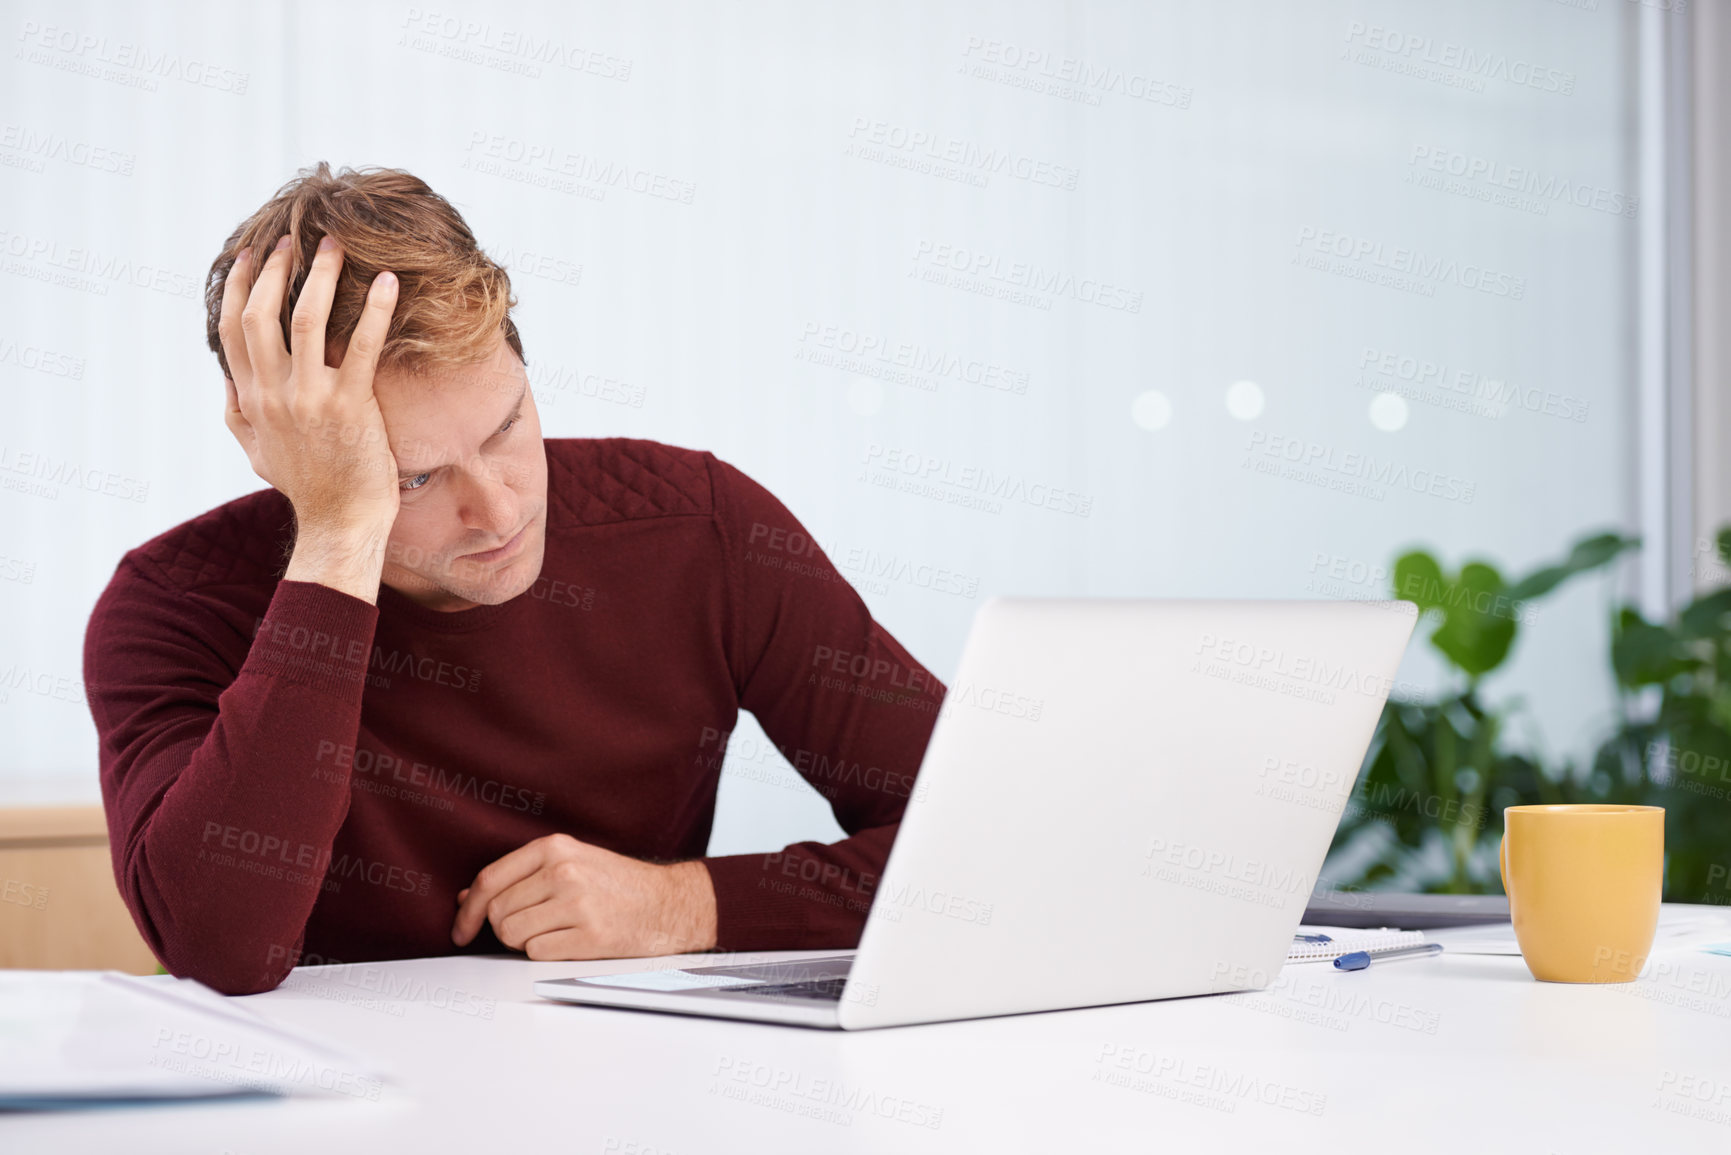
pixel 1585 886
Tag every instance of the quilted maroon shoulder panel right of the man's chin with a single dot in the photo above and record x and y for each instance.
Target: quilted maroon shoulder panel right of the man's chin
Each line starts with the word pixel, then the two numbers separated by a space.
pixel 615 479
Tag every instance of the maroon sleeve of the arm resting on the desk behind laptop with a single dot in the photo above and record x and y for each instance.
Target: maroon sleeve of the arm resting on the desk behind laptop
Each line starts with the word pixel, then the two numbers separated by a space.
pixel 842 700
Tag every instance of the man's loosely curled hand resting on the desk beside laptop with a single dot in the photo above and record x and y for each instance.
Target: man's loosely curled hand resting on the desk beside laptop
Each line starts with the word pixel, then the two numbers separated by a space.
pixel 565 900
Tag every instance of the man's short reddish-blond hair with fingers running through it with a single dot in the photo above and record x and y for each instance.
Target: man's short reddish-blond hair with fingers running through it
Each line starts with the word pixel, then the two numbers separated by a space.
pixel 453 300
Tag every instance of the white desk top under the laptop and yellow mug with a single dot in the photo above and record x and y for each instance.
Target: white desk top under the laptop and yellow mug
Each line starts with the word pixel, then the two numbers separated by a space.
pixel 1455 1054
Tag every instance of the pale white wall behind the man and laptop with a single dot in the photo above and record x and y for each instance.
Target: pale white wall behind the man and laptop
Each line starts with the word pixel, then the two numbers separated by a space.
pixel 1214 150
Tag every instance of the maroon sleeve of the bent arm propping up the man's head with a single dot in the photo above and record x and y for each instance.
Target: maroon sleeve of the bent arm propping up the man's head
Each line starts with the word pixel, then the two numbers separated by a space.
pixel 217 766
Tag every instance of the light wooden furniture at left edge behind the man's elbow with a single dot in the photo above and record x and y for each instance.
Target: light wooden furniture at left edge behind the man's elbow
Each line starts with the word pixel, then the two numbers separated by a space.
pixel 60 908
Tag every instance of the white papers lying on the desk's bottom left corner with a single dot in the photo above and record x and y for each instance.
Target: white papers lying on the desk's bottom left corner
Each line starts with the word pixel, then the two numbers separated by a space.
pixel 93 1036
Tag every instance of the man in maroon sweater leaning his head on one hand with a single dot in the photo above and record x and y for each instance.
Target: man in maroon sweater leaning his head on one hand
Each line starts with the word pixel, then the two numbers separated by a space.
pixel 451 687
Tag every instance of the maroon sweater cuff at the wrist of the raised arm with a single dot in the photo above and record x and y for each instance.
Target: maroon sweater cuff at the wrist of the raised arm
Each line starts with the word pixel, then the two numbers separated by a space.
pixel 316 636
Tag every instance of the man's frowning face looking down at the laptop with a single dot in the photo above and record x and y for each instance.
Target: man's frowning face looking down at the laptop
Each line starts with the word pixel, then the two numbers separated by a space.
pixel 473 477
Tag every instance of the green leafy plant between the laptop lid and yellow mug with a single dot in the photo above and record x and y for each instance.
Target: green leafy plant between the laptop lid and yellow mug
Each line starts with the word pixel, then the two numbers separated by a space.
pixel 1427 811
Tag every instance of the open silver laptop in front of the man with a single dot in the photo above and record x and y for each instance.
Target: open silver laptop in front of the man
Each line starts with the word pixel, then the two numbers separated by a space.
pixel 1123 801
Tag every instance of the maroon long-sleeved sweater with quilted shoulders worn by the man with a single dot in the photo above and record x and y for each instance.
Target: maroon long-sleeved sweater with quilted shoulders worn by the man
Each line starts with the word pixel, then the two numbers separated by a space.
pixel 290 771
